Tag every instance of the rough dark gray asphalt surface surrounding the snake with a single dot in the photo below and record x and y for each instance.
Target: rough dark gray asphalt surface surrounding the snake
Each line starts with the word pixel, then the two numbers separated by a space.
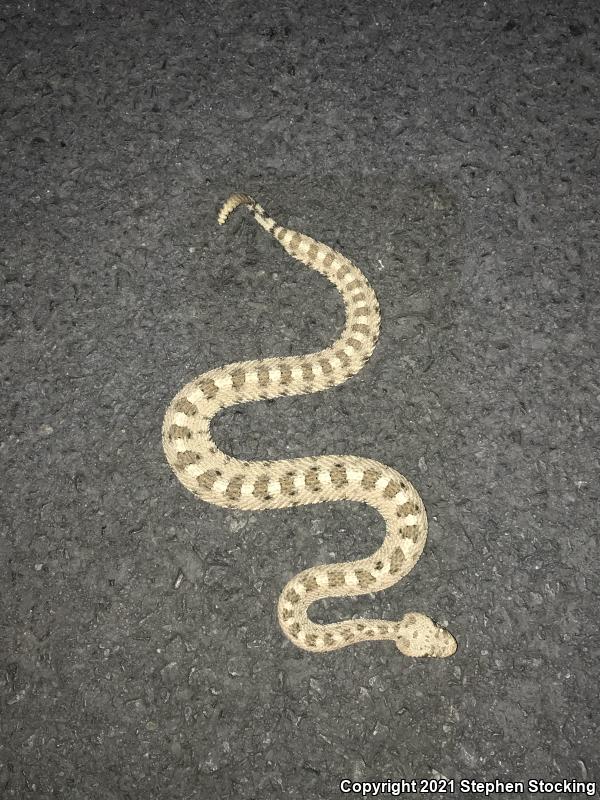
pixel 451 151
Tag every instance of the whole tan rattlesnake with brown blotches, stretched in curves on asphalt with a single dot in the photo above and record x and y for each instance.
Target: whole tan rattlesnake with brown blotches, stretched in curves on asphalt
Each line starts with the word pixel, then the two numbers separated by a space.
pixel 258 485
